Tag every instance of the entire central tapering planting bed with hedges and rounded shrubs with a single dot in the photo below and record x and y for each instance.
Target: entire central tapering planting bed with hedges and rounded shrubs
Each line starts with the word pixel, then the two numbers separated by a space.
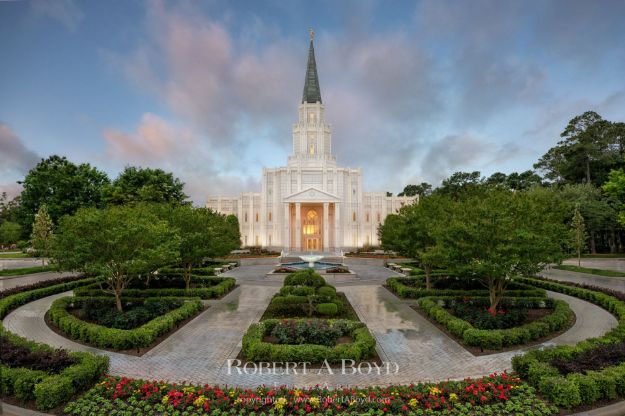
pixel 304 331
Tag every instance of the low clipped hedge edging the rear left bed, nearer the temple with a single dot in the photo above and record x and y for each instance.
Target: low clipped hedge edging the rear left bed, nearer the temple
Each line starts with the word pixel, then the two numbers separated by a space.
pixel 221 286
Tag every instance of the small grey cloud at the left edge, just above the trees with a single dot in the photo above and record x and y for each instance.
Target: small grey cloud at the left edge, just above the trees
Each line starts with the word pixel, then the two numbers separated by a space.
pixel 15 158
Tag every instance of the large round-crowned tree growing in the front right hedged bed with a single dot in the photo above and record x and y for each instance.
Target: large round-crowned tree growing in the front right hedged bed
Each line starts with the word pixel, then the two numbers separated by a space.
pixel 499 234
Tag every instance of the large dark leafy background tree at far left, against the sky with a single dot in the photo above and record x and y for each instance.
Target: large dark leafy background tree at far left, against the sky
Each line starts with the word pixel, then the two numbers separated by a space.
pixel 63 186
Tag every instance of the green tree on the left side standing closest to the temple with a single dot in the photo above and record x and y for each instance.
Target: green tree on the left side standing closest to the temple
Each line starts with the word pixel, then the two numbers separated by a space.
pixel 202 233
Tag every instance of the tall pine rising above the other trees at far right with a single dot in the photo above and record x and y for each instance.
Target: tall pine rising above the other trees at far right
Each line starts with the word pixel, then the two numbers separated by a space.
pixel 584 154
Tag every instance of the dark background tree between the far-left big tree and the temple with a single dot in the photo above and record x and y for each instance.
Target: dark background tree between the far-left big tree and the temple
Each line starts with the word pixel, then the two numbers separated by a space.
pixel 137 185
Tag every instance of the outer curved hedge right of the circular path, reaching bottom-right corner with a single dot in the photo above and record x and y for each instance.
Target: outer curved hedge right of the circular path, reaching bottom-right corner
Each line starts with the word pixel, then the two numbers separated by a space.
pixel 575 388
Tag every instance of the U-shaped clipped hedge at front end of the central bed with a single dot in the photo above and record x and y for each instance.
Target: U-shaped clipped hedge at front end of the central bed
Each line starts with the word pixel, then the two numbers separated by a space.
pixel 254 349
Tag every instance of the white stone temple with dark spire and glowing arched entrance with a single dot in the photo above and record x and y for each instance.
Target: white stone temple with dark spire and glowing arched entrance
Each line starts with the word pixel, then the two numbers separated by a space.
pixel 310 205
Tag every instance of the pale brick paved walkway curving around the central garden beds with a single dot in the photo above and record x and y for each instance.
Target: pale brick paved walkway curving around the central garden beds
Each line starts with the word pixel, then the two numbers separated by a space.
pixel 199 351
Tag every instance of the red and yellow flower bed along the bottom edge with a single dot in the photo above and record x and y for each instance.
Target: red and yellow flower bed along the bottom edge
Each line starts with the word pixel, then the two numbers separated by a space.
pixel 493 395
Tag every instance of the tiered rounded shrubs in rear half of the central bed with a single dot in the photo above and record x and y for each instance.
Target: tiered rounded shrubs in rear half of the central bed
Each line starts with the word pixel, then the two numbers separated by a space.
pixel 305 294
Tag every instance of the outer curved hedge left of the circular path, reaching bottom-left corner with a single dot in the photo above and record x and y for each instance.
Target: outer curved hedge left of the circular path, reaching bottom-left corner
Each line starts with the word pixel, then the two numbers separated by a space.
pixel 48 391
